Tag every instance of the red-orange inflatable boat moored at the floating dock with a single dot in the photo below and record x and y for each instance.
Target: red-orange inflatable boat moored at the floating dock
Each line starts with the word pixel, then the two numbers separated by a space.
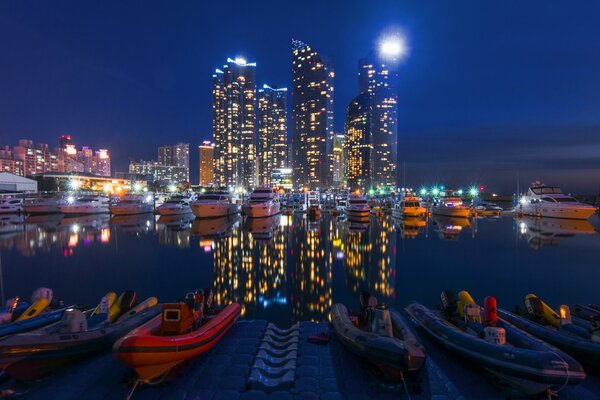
pixel 182 331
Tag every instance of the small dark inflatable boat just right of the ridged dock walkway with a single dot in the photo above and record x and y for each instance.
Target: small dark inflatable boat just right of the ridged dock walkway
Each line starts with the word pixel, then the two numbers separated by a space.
pixel 381 336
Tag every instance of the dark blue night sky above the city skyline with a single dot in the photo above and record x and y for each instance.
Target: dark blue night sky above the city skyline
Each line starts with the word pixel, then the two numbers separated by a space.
pixel 488 90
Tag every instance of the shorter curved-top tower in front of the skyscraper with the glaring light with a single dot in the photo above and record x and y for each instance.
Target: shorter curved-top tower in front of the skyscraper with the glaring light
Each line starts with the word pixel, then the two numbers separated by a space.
pixel 359 149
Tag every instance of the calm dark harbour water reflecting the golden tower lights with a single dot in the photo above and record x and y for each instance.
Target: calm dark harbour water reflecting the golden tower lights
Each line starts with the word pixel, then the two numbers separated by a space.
pixel 288 269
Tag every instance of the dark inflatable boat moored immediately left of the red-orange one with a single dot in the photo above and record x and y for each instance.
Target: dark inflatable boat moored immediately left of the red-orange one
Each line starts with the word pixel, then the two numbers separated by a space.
pixel 30 355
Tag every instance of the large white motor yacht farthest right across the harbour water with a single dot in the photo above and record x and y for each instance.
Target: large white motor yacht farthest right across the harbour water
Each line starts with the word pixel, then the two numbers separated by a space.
pixel 549 201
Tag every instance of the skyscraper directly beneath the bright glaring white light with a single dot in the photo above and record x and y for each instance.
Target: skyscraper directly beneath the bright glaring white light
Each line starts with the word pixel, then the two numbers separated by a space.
pixel 378 77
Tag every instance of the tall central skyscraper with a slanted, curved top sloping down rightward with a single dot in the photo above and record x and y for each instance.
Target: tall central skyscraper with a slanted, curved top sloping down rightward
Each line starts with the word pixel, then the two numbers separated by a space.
pixel 312 117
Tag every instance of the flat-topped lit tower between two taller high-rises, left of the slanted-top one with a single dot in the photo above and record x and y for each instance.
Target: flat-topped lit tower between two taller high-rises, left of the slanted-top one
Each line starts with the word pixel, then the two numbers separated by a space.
pixel 272 132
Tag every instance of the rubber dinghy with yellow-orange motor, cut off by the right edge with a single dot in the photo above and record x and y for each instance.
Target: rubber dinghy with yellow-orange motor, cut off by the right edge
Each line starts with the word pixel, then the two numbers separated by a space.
pixel 577 336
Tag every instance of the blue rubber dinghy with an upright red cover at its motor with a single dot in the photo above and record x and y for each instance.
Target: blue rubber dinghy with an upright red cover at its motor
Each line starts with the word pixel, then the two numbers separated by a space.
pixel 515 357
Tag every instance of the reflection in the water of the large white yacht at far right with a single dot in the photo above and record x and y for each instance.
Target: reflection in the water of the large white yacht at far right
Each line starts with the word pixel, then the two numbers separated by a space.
pixel 541 232
